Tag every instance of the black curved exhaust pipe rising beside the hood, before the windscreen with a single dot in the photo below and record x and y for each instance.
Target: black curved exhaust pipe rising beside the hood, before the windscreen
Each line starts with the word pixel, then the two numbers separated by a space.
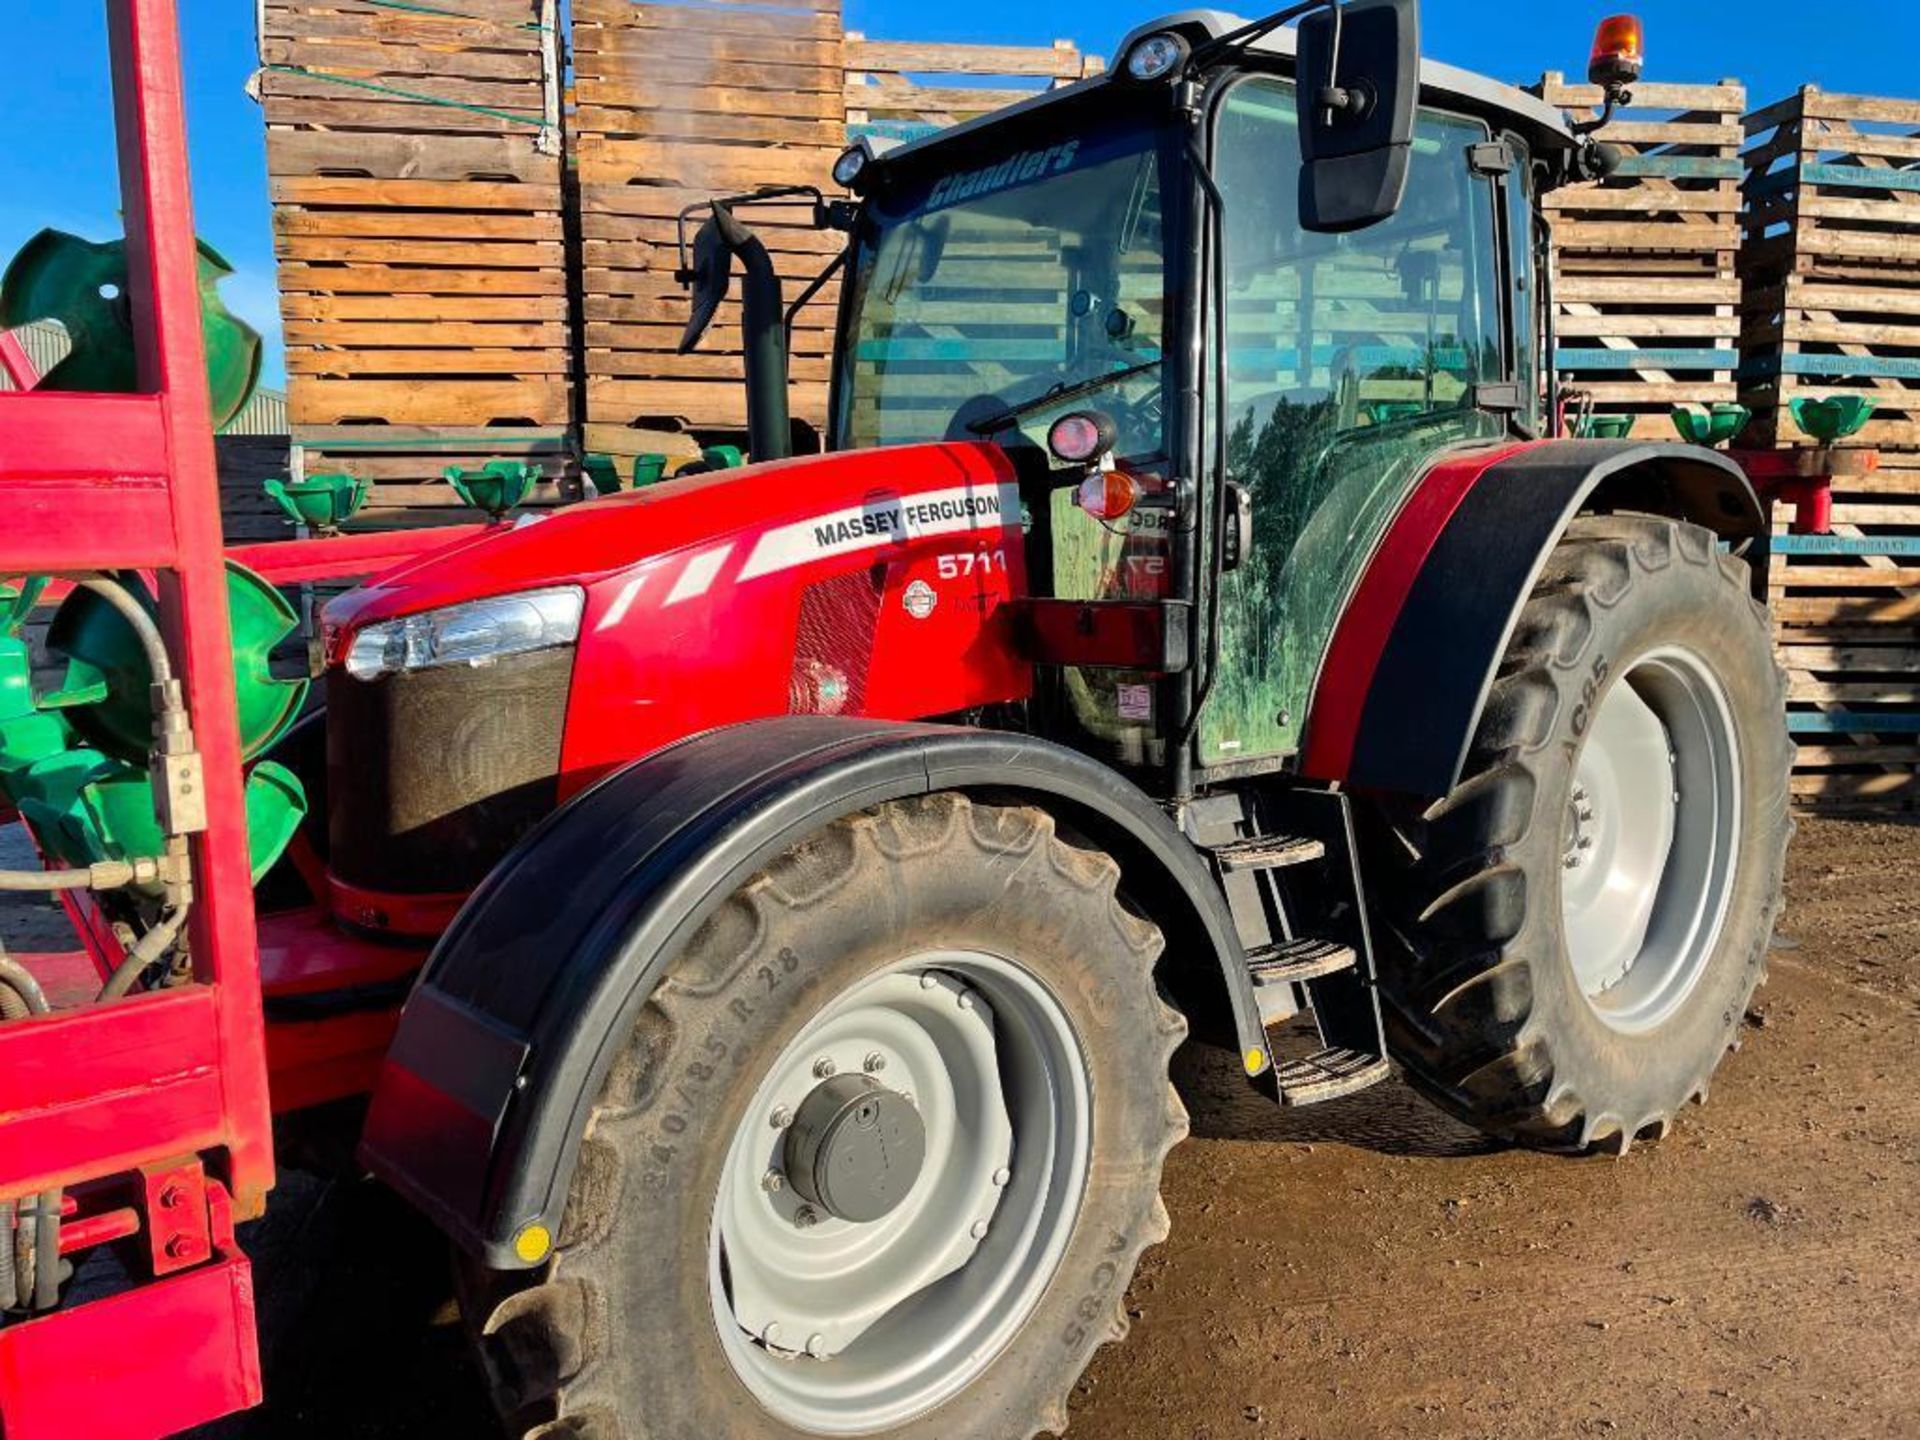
pixel 763 325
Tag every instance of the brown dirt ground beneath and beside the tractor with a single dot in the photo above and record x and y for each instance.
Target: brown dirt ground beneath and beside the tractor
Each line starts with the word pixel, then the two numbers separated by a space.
pixel 1374 1270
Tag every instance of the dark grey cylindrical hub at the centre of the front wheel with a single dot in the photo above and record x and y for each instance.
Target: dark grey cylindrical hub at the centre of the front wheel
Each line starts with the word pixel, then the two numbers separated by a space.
pixel 855 1149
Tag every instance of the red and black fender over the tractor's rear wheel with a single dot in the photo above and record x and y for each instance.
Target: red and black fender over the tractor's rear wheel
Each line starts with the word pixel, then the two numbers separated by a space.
pixel 1416 652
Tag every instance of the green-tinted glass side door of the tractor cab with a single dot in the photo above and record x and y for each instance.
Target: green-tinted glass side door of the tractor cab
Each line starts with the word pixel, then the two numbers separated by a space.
pixel 1351 360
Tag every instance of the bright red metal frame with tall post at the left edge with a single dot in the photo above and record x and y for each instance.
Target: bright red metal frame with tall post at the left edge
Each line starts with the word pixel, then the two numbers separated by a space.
pixel 178 1076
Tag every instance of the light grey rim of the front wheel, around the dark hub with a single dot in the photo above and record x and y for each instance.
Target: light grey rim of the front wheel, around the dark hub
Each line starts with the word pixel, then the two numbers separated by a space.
pixel 855 1326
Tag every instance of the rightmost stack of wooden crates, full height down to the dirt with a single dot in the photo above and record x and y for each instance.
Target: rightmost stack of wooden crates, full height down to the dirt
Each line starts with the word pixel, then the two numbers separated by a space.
pixel 1833 308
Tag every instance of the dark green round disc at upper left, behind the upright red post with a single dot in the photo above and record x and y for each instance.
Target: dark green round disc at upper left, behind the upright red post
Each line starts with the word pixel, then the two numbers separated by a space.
pixel 84 285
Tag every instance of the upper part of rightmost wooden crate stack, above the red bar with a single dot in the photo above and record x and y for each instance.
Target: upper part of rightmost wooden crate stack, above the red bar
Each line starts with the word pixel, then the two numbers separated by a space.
pixel 1831 262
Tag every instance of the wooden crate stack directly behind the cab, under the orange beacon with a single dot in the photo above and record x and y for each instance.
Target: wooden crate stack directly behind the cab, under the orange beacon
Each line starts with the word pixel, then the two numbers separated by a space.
pixel 1644 264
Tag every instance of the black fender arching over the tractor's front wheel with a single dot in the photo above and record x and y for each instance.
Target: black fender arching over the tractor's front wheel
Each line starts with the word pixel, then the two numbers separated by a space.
pixel 531 996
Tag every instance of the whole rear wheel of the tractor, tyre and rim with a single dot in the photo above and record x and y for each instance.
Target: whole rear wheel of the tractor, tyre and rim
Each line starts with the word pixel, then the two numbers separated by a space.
pixel 1572 936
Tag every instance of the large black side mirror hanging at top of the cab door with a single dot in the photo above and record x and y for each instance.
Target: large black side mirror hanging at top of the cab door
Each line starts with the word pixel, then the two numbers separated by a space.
pixel 1360 87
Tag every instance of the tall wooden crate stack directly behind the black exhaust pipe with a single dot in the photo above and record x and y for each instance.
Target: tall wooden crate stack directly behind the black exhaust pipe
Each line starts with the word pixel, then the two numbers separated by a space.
pixel 681 105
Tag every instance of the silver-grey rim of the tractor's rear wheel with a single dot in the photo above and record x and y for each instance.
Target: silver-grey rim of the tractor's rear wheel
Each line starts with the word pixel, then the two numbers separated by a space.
pixel 1652 840
